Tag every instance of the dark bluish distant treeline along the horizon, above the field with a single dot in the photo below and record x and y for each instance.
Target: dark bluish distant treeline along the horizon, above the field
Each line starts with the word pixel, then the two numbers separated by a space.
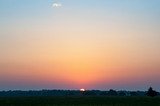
pixel 111 92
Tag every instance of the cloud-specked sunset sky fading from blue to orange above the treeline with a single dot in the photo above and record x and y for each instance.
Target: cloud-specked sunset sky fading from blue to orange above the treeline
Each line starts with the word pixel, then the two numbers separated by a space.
pixel 73 44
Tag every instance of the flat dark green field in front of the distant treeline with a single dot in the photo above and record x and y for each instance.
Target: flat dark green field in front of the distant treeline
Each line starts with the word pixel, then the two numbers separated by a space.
pixel 79 101
